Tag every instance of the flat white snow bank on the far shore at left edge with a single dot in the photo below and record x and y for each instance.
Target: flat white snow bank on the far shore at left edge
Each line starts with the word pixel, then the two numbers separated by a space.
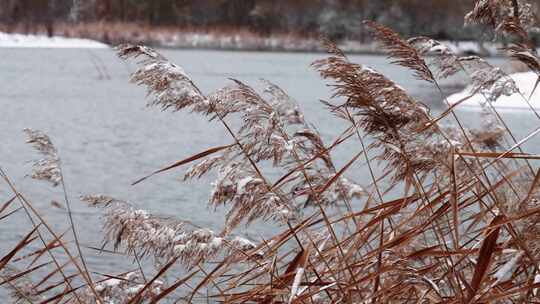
pixel 41 41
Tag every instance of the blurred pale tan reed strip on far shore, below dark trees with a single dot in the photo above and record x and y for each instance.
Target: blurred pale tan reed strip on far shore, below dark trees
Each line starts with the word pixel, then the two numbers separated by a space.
pixel 224 39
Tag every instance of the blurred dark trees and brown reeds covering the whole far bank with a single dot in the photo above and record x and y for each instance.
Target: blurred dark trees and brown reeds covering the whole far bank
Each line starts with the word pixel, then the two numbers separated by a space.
pixel 246 25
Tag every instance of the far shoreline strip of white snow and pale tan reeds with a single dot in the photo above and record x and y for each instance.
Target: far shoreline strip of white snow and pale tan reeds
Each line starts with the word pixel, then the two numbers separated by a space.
pixel 240 41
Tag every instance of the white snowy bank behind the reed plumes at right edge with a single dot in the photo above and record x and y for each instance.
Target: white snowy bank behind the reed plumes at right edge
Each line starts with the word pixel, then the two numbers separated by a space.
pixel 525 82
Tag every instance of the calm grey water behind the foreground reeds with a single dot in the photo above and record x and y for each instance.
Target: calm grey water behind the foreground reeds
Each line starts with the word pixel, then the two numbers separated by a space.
pixel 107 138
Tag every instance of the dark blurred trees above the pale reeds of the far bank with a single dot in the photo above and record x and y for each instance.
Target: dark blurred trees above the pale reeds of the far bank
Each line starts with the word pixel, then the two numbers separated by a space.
pixel 441 19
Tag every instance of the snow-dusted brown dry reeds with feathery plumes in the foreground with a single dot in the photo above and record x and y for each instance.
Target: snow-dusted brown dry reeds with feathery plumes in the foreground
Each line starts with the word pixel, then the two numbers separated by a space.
pixel 465 227
